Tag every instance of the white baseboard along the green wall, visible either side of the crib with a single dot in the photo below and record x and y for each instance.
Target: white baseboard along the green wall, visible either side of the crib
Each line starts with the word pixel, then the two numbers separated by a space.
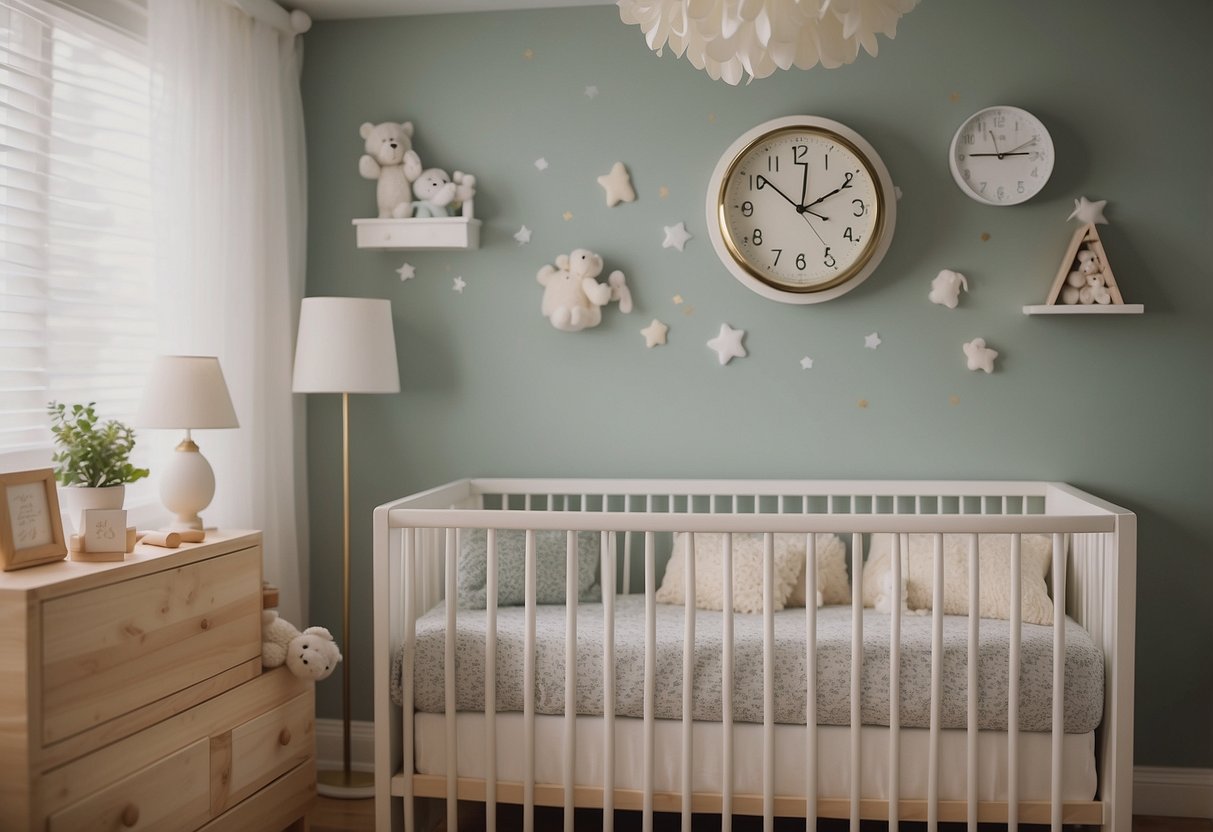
pixel 1157 791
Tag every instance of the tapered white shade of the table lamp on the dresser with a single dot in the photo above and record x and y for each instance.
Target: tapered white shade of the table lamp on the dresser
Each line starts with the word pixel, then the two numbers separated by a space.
pixel 186 392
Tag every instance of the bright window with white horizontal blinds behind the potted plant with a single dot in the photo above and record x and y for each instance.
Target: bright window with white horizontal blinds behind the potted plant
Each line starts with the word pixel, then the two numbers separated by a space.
pixel 77 292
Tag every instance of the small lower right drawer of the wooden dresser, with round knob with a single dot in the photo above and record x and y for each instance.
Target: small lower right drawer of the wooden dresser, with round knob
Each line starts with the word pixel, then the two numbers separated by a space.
pixel 271 745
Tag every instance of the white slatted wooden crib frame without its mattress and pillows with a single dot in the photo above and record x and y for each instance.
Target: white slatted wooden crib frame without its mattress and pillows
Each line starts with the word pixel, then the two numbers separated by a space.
pixel 417 546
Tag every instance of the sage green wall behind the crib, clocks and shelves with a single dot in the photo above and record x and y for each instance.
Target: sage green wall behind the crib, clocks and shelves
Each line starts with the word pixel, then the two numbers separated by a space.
pixel 1120 406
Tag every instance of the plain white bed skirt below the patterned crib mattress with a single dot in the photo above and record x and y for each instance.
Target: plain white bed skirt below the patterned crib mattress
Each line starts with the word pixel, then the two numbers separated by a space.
pixel 834 755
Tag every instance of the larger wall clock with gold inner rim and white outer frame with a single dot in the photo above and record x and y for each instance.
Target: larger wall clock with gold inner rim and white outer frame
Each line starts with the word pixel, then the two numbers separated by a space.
pixel 801 209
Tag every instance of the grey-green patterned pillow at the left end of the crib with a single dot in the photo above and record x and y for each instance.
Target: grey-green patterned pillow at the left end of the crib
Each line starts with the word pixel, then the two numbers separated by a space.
pixel 551 556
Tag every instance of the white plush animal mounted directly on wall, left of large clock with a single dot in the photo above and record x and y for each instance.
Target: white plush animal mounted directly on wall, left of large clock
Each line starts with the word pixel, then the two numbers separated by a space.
pixel 573 299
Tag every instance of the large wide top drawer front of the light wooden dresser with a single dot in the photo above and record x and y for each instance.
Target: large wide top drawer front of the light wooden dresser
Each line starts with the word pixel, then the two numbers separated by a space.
pixel 118 648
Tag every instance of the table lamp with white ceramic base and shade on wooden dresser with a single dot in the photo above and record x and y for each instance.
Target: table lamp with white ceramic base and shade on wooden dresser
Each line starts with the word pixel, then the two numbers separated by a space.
pixel 186 392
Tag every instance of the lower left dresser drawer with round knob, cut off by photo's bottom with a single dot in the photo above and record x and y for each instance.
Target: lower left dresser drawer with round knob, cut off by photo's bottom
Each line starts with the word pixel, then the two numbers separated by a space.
pixel 170 795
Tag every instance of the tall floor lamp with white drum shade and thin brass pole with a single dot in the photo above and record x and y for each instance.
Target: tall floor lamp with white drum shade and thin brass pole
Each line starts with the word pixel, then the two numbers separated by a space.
pixel 346 345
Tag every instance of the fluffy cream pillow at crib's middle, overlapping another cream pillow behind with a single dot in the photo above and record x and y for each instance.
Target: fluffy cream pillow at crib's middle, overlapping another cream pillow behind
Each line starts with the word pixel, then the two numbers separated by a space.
pixel 748 572
